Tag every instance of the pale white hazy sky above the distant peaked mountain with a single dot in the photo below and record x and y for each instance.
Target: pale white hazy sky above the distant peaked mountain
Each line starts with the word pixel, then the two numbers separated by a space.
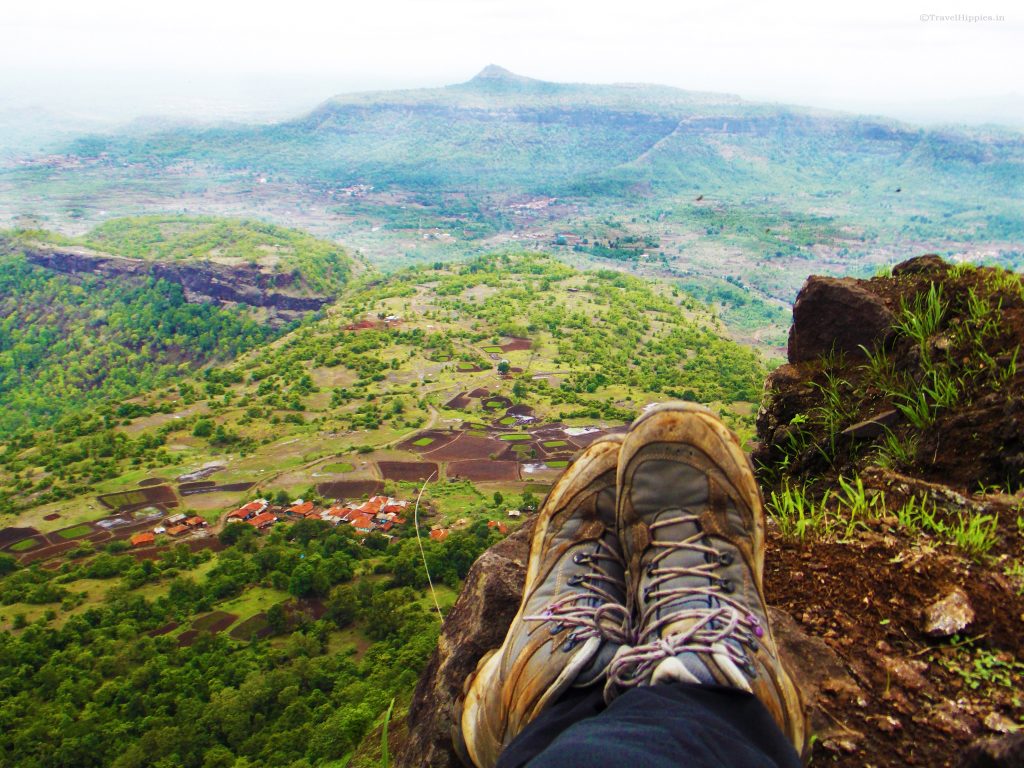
pixel 218 58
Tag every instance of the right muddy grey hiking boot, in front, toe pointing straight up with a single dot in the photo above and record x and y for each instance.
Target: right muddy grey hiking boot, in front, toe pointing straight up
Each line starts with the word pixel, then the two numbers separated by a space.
pixel 692 528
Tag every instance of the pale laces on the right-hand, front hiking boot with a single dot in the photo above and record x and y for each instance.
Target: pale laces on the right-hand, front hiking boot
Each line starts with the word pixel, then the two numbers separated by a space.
pixel 715 623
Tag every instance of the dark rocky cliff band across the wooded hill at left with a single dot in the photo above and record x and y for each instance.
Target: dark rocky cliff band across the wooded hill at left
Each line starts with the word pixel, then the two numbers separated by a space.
pixel 203 282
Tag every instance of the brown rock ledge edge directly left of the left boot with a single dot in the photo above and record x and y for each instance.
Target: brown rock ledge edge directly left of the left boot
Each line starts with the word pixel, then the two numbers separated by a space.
pixel 477 624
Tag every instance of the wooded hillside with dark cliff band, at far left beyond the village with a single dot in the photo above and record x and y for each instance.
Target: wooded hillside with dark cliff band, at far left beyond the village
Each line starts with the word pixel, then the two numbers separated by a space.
pixel 168 295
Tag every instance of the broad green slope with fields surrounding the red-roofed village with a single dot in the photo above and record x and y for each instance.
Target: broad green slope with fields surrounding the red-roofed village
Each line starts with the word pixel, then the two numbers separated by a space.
pixel 153 643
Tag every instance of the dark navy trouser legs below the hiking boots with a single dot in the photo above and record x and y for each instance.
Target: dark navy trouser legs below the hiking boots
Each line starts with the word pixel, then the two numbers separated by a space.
pixel 661 727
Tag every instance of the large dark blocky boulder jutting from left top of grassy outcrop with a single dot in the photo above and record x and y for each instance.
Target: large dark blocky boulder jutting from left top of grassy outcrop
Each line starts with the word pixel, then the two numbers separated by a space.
pixel 837 315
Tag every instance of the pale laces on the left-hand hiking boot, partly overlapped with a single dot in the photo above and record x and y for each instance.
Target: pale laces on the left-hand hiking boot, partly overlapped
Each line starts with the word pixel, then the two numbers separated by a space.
pixel 593 611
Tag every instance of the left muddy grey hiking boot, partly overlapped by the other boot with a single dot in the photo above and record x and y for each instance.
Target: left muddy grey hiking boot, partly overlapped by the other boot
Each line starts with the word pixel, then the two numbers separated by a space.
pixel 573 618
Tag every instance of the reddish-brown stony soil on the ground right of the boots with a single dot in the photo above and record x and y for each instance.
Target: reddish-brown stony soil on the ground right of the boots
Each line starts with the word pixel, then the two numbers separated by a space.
pixel 865 600
